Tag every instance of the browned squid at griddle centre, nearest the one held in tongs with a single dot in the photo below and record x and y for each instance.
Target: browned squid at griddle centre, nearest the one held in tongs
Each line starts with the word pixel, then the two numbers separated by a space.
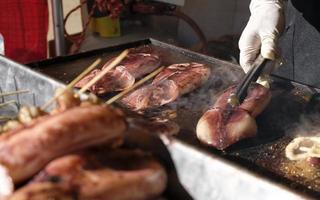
pixel 173 82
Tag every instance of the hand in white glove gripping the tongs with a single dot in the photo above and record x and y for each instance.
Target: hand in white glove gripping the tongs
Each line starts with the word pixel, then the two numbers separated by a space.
pixel 265 25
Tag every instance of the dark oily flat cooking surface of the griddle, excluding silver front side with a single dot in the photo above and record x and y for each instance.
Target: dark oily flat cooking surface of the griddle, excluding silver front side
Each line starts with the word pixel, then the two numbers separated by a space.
pixel 277 125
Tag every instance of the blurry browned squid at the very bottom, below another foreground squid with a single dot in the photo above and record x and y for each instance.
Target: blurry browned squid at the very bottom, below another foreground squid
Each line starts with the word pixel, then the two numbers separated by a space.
pixel 102 174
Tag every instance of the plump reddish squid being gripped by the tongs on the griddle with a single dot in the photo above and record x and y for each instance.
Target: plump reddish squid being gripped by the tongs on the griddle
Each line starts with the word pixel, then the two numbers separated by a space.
pixel 220 127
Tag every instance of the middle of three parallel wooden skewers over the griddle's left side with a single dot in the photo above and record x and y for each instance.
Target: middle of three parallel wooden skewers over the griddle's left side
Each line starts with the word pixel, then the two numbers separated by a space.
pixel 104 71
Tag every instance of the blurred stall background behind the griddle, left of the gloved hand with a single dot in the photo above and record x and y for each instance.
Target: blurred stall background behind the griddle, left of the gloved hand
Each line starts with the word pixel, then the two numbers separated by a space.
pixel 211 27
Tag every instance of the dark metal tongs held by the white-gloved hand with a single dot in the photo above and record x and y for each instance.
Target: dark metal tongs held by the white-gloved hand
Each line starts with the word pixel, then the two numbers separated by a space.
pixel 239 95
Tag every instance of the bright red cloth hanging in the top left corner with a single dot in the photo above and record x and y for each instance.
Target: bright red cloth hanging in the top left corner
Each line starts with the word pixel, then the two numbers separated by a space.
pixel 24 26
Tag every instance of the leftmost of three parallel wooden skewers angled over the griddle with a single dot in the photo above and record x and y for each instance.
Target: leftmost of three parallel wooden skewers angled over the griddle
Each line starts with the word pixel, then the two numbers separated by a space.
pixel 72 83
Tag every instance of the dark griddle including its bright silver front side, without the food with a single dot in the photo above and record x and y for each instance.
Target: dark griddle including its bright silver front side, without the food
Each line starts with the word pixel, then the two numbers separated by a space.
pixel 254 167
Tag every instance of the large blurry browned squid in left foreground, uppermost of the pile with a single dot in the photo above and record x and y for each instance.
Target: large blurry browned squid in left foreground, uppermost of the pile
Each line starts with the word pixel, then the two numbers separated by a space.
pixel 26 150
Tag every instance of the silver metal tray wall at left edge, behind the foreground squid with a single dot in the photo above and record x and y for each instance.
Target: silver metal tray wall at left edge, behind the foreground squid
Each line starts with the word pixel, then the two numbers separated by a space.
pixel 15 76
